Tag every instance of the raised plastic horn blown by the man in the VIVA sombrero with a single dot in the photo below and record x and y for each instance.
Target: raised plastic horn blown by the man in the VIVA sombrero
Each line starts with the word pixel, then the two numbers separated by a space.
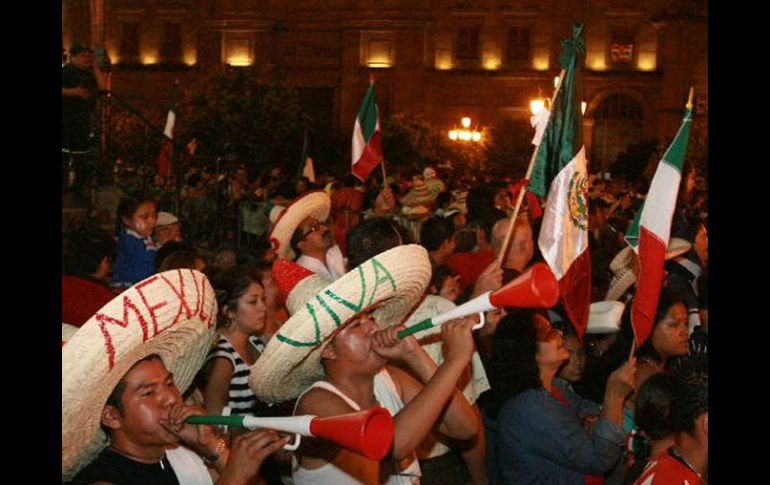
pixel 537 288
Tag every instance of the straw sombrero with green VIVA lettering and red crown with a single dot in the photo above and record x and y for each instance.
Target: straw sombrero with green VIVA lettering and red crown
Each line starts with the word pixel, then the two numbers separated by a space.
pixel 392 282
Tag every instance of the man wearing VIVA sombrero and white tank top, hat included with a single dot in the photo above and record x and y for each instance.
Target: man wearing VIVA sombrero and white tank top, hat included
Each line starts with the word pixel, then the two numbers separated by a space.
pixel 333 353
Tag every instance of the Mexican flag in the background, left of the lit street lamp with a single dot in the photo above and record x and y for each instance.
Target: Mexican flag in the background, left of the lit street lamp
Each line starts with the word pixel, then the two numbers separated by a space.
pixel 367 141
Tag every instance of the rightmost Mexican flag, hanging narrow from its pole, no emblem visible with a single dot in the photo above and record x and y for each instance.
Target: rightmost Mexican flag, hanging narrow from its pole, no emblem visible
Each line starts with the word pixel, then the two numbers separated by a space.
pixel 648 235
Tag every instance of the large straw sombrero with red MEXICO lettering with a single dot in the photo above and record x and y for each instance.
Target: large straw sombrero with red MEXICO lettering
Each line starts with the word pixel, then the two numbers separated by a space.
pixel 171 314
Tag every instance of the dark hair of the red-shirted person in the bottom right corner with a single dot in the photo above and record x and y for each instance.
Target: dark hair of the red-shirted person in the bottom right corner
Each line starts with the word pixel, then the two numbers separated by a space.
pixel 691 399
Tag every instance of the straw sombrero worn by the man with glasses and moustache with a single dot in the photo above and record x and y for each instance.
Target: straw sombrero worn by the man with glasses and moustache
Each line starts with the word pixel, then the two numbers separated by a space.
pixel 314 204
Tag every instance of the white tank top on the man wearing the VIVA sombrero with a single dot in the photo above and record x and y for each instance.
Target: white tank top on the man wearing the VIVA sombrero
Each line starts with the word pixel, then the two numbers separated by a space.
pixel 405 472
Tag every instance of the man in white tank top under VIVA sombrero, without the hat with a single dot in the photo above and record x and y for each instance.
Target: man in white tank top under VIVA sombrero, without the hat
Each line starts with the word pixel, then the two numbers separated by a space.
pixel 357 377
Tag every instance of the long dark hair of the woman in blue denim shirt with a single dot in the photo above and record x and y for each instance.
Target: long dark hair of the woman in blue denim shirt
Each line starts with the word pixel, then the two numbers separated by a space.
pixel 512 368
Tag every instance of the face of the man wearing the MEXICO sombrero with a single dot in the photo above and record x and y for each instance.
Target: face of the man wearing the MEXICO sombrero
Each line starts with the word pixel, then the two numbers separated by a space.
pixel 149 395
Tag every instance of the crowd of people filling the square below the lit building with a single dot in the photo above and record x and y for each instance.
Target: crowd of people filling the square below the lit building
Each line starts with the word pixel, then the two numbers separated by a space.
pixel 307 315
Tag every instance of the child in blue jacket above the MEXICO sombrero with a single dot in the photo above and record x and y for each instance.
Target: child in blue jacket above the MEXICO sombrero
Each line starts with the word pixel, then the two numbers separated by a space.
pixel 135 259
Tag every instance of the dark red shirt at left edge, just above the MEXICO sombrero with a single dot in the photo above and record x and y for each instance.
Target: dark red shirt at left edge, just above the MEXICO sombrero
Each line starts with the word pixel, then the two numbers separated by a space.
pixel 81 299
